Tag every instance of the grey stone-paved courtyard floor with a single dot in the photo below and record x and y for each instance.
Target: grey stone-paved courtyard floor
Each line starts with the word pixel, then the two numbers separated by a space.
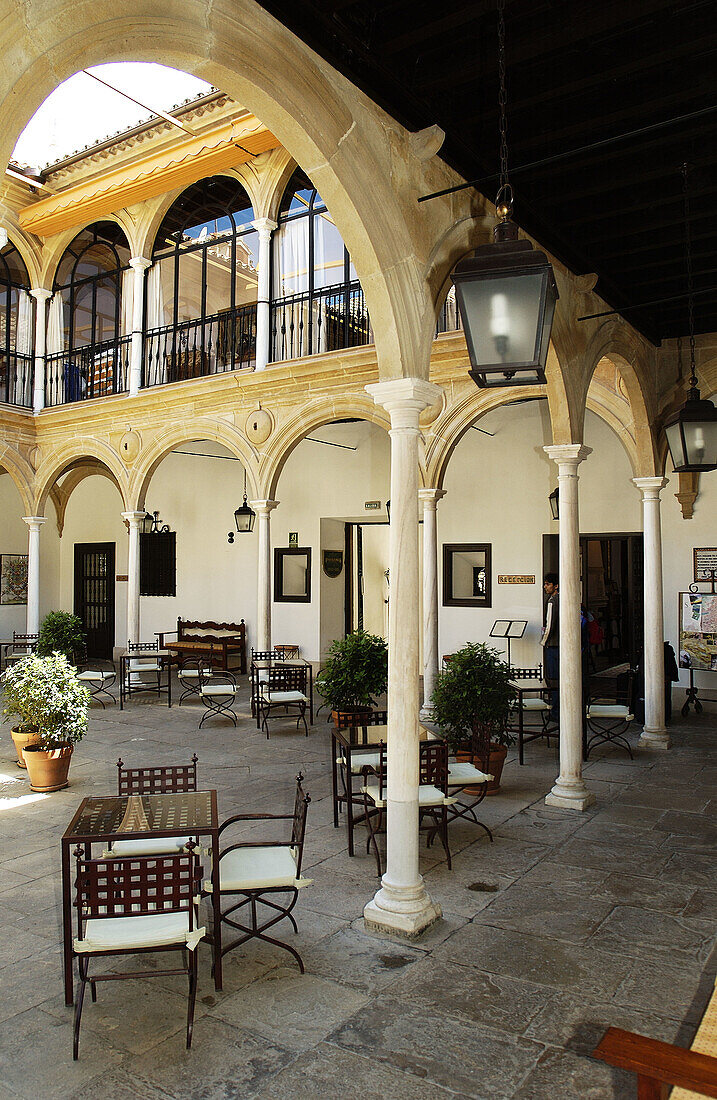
pixel 567 925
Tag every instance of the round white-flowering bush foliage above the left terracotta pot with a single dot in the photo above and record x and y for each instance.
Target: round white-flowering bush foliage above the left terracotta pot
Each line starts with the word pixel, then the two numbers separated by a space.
pixel 48 698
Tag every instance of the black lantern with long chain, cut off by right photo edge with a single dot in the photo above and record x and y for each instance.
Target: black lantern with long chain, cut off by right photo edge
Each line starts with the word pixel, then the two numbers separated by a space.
pixel 692 434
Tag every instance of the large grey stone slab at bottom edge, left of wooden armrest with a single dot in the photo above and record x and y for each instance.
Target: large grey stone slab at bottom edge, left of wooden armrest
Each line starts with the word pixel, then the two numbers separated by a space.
pixel 444 1051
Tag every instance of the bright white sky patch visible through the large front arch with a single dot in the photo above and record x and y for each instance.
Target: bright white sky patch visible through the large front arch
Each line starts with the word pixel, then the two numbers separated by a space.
pixel 83 113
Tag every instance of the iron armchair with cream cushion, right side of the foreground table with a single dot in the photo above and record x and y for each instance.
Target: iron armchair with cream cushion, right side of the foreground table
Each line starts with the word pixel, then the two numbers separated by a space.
pixel 258 873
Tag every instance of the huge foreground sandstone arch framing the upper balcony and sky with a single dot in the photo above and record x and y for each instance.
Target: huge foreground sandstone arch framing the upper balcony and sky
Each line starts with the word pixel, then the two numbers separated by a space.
pixel 339 137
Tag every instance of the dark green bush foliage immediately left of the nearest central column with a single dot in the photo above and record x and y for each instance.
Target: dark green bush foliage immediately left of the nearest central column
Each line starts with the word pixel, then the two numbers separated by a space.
pixel 356 673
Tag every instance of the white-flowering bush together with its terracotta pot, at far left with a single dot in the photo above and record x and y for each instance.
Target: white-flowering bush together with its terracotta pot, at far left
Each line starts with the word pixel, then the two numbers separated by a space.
pixel 52 705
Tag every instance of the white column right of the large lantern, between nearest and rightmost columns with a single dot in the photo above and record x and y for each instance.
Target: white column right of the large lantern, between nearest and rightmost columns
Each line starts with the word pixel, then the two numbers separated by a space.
pixel 570 791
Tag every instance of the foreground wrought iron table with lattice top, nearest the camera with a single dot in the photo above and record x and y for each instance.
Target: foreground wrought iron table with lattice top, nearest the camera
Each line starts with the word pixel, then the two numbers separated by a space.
pixel 101 821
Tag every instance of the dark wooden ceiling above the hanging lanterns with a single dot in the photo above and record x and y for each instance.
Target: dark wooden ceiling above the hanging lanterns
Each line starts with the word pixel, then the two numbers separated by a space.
pixel 579 73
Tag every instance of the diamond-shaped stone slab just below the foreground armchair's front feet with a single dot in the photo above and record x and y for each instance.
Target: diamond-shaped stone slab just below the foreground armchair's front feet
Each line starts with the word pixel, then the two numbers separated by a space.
pixel 293 1009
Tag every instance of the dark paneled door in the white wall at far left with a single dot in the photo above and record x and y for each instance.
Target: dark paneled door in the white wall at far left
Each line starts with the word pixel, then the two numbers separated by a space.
pixel 95 596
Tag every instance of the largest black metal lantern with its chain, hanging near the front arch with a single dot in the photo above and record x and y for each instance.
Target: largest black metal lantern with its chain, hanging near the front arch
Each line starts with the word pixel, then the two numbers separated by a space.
pixel 506 292
